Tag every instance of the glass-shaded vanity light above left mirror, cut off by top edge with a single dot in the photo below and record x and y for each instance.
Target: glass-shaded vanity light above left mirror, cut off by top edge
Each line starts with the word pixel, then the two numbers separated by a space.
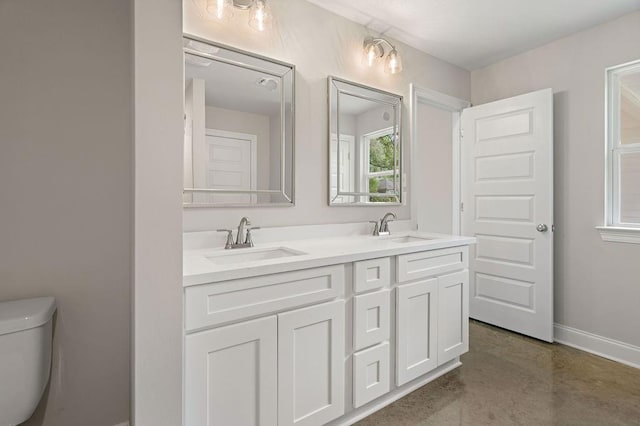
pixel 260 17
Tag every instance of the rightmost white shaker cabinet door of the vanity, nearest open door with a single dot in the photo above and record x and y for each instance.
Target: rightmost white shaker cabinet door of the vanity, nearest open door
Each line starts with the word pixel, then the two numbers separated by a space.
pixel 453 315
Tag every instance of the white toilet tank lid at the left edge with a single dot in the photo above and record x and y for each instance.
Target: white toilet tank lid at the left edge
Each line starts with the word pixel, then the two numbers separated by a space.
pixel 23 314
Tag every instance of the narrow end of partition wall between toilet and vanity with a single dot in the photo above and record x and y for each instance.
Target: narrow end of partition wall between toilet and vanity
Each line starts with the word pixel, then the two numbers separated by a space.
pixel 158 150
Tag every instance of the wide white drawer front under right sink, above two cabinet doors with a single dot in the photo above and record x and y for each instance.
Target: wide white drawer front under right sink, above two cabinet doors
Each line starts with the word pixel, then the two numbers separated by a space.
pixel 425 264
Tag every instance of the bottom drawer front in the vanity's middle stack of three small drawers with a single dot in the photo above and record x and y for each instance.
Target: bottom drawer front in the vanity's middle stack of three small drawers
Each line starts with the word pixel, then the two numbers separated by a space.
pixel 370 374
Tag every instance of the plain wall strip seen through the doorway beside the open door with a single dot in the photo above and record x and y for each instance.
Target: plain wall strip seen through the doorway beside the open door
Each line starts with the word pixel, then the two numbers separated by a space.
pixel 433 180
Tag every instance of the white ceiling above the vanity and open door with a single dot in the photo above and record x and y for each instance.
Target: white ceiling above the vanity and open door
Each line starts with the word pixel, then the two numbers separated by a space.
pixel 474 33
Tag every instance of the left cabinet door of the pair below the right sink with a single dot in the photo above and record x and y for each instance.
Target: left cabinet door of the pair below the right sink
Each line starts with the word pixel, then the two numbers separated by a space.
pixel 416 311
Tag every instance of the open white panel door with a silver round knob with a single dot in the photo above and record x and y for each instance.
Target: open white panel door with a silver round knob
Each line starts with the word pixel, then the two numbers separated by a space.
pixel 507 193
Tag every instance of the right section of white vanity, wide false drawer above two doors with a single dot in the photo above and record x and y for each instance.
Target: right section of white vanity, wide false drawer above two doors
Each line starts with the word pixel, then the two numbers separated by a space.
pixel 432 310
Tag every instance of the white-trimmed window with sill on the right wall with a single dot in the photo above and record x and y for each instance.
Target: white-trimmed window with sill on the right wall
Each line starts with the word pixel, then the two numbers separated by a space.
pixel 623 154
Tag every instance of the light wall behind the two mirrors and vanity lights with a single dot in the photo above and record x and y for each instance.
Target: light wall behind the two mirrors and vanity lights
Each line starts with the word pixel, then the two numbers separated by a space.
pixel 320 44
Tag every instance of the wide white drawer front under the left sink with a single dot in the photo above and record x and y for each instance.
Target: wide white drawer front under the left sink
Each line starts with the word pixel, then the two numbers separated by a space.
pixel 220 303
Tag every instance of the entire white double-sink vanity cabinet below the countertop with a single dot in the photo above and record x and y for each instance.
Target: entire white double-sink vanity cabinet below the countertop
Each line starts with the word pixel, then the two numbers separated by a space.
pixel 327 344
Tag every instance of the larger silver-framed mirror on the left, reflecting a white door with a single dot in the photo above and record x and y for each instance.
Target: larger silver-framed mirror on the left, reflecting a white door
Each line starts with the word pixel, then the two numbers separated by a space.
pixel 239 127
